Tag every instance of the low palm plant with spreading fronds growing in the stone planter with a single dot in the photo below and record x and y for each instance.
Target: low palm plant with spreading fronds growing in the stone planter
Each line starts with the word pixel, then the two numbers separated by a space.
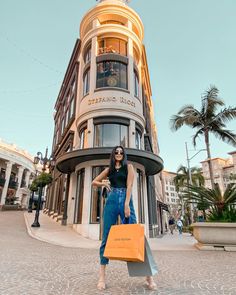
pixel 218 202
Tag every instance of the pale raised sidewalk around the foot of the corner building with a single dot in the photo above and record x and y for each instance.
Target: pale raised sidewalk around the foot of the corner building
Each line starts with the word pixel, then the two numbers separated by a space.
pixel 54 233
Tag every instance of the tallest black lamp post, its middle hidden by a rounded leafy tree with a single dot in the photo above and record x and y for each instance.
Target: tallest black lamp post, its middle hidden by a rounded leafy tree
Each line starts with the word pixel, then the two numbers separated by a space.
pixel 44 160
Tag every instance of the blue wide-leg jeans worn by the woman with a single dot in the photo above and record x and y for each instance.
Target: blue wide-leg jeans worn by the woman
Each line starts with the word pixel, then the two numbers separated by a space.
pixel 115 206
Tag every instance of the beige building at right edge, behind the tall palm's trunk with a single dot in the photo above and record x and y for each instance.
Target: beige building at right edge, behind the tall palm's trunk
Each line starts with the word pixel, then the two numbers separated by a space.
pixel 224 171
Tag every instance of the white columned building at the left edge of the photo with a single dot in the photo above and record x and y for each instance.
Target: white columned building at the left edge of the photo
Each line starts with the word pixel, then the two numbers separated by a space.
pixel 16 173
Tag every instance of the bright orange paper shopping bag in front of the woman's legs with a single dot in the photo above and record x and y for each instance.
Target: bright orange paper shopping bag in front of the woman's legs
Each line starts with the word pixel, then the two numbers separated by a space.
pixel 125 242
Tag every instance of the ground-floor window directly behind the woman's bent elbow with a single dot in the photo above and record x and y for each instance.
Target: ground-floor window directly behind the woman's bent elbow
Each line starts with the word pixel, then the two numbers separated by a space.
pixel 96 197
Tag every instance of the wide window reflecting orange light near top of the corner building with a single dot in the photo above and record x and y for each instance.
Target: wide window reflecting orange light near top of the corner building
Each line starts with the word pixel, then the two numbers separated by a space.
pixel 112 45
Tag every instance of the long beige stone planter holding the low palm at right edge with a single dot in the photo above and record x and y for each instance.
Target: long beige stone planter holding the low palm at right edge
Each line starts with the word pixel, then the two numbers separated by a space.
pixel 215 236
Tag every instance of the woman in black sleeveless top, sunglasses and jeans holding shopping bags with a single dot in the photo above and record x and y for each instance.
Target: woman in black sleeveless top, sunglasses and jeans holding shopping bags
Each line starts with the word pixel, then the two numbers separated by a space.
pixel 118 180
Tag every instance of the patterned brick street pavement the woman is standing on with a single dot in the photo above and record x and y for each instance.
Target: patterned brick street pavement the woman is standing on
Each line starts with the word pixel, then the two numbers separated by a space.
pixel 29 267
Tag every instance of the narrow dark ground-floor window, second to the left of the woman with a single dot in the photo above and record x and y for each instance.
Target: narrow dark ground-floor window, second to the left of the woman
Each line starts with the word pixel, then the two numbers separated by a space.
pixel 79 197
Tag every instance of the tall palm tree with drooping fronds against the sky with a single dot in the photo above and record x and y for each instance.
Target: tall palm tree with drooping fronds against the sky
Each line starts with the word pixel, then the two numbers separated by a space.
pixel 207 120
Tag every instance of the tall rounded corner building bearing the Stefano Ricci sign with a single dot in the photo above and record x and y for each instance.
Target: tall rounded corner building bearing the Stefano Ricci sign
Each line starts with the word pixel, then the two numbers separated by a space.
pixel 105 100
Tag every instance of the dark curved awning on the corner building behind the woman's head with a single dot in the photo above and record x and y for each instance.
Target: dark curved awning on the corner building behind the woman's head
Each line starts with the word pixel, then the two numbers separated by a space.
pixel 66 163
